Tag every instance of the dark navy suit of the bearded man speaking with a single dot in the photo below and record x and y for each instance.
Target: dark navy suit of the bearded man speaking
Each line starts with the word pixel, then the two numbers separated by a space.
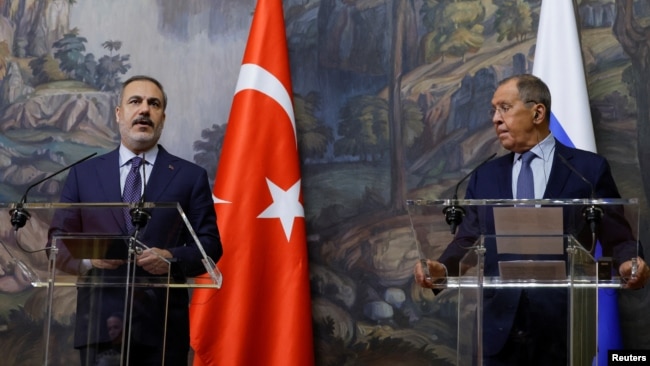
pixel 172 180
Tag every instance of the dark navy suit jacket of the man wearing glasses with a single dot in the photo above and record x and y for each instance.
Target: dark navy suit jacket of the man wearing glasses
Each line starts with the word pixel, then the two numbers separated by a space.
pixel 493 180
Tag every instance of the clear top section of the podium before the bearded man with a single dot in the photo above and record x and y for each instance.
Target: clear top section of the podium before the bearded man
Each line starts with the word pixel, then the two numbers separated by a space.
pixel 58 242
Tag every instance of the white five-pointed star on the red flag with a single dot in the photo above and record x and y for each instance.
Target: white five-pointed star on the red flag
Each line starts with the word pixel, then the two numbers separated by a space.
pixel 286 206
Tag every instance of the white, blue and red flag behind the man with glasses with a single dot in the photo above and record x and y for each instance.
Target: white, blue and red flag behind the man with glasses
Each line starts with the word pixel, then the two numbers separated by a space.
pixel 558 61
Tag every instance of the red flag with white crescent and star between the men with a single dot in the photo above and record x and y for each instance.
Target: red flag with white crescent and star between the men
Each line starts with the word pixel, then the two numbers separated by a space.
pixel 262 313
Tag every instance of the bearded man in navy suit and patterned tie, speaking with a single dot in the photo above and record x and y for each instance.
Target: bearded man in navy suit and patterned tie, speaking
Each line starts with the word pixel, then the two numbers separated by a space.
pixel 140 116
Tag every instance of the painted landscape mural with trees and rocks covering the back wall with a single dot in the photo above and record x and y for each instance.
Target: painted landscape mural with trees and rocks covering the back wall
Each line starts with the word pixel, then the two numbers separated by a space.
pixel 360 70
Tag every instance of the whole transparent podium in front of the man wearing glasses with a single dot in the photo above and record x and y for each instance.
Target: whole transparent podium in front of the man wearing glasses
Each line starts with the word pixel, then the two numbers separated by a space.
pixel 532 247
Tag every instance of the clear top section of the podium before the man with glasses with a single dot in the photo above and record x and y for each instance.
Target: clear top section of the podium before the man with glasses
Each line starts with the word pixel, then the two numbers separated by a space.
pixel 523 243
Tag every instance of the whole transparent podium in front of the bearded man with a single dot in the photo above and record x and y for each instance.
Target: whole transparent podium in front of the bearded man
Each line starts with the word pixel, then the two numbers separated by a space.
pixel 95 302
